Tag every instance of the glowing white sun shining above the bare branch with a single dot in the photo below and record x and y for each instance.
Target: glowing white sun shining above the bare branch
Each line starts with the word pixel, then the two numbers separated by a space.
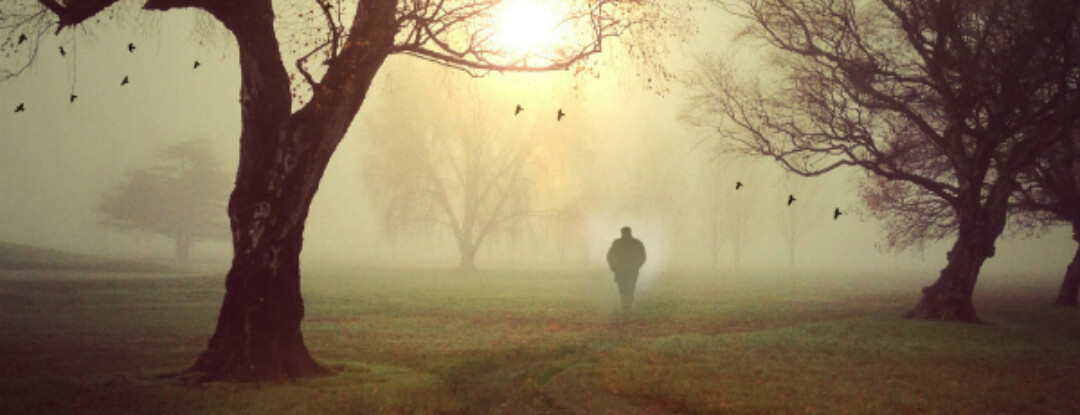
pixel 526 25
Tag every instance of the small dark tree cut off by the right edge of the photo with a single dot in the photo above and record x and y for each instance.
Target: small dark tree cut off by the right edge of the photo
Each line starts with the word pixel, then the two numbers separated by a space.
pixel 1049 195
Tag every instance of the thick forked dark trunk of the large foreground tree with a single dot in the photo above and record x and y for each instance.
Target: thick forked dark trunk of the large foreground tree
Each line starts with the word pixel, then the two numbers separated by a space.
pixel 283 156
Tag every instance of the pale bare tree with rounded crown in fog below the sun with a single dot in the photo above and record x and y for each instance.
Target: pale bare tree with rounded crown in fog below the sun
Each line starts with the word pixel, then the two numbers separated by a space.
pixel 478 178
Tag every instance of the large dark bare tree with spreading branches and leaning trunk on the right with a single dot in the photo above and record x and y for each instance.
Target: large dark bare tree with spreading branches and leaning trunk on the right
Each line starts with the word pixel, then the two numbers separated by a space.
pixel 950 100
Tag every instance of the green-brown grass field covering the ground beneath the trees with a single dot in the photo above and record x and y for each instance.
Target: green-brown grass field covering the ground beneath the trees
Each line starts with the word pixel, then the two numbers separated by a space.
pixel 543 342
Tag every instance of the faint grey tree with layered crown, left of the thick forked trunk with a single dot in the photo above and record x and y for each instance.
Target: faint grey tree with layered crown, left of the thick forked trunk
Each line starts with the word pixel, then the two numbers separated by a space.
pixel 182 198
